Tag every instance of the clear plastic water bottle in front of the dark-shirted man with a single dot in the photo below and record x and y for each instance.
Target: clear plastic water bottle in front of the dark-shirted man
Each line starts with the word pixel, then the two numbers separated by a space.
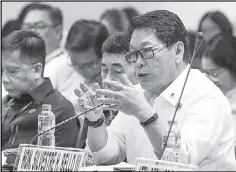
pixel 46 120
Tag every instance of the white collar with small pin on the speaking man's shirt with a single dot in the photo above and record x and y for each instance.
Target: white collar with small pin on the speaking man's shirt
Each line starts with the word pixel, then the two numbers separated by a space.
pixel 173 91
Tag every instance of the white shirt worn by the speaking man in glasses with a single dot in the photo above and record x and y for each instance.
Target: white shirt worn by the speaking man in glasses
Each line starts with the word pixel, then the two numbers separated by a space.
pixel 204 120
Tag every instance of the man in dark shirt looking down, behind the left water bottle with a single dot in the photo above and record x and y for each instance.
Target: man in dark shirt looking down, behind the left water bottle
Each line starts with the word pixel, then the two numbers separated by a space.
pixel 23 54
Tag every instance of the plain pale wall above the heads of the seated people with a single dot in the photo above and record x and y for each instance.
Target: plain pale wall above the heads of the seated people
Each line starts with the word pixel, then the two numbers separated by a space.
pixel 189 12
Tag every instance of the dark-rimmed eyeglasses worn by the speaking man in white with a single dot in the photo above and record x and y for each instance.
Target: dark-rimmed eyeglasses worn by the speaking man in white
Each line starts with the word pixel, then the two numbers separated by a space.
pixel 162 46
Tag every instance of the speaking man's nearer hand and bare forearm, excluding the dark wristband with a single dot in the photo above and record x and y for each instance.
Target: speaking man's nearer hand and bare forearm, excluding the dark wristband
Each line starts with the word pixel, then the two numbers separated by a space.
pixel 131 100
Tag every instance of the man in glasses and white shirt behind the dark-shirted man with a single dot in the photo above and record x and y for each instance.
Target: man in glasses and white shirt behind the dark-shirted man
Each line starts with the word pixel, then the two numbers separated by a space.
pixel 48 22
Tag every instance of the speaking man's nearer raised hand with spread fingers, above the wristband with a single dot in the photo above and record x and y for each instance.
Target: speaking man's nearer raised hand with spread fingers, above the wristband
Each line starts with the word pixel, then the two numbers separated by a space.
pixel 125 97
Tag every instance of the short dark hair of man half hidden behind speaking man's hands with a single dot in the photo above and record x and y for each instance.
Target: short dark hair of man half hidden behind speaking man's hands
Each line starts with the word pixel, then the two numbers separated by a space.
pixel 117 43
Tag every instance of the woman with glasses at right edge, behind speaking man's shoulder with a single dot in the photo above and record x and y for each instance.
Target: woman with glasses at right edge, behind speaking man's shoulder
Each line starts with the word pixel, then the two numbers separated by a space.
pixel 219 63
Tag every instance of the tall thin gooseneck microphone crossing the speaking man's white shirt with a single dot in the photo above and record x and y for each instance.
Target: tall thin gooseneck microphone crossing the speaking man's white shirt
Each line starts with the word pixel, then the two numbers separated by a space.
pixel 197 44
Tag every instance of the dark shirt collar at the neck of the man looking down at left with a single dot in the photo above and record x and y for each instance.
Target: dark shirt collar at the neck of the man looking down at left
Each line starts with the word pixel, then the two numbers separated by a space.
pixel 40 92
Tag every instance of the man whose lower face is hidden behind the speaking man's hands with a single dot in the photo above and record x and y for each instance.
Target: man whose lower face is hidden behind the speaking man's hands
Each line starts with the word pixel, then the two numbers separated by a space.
pixel 114 64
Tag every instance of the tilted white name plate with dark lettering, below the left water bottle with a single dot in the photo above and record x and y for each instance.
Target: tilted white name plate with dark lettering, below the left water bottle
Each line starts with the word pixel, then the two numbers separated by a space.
pixel 46 158
